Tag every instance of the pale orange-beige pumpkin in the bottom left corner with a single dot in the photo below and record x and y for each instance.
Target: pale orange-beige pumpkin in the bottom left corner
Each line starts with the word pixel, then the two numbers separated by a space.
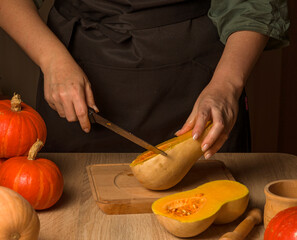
pixel 18 220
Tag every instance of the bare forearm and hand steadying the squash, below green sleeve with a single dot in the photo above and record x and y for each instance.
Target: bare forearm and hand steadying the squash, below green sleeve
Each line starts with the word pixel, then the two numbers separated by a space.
pixel 218 102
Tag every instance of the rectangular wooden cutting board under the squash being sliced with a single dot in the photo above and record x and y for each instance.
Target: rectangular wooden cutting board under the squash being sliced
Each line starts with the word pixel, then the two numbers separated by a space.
pixel 117 191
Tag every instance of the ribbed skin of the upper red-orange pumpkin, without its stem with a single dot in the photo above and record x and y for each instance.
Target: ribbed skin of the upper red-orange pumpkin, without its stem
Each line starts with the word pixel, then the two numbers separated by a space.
pixel 19 130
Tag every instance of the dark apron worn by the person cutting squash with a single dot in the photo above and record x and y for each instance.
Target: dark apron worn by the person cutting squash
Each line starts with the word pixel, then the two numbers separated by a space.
pixel 147 62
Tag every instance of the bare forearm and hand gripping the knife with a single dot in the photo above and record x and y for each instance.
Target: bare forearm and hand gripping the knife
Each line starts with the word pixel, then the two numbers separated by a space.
pixel 67 89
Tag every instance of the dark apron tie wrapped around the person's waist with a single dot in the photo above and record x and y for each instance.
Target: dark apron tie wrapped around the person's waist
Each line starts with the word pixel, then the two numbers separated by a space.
pixel 118 27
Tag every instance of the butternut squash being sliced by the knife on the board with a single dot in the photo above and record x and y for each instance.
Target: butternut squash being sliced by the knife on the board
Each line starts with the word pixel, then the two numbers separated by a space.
pixel 158 172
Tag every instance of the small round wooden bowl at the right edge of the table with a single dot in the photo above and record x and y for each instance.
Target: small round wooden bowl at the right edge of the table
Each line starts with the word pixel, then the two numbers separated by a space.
pixel 280 194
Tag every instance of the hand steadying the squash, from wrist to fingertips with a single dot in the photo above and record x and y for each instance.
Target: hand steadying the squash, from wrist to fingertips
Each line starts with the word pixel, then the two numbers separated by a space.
pixel 217 103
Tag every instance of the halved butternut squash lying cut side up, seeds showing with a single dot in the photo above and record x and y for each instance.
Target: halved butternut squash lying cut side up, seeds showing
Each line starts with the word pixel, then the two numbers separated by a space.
pixel 188 213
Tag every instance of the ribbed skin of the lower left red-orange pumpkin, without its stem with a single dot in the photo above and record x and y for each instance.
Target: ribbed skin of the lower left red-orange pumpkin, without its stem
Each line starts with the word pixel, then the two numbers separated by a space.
pixel 38 181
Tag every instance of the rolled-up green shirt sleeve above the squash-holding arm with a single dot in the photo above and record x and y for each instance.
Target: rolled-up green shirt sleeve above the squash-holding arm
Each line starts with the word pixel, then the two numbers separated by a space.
pixel 269 17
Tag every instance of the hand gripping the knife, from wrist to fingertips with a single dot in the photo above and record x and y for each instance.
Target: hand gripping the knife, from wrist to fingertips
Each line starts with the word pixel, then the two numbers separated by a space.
pixel 68 90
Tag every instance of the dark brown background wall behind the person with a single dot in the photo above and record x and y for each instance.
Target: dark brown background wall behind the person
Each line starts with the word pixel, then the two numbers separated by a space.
pixel 271 89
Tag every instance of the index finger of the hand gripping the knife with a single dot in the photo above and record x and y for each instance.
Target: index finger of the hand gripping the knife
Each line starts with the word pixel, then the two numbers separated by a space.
pixel 81 110
